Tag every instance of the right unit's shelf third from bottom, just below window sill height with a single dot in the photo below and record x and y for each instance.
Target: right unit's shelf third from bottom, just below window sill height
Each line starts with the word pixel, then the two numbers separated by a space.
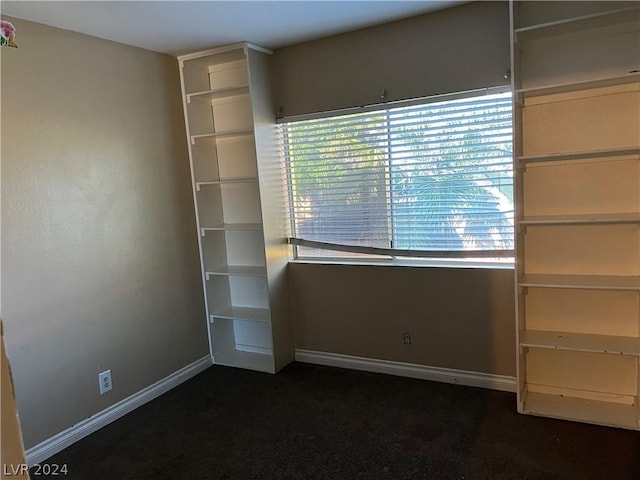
pixel 584 282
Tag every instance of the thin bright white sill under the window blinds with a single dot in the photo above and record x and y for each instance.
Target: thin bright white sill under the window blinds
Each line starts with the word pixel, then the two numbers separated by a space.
pixel 400 262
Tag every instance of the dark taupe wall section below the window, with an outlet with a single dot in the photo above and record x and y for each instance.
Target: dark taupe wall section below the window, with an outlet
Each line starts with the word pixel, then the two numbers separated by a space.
pixel 457 318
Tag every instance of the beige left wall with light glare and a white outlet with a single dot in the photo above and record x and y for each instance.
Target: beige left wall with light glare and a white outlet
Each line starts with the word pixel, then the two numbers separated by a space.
pixel 99 246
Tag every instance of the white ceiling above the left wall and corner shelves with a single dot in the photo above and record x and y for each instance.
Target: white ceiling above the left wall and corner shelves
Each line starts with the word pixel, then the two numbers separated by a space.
pixel 177 27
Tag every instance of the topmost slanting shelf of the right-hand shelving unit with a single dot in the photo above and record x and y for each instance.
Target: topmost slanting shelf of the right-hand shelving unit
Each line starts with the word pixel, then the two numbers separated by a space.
pixel 575 24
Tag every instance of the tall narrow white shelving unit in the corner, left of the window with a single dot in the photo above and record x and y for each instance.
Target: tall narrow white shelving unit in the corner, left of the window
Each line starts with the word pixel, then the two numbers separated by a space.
pixel 239 202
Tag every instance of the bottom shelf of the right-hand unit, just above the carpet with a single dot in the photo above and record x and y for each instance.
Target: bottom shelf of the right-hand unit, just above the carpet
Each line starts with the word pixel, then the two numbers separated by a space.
pixel 582 410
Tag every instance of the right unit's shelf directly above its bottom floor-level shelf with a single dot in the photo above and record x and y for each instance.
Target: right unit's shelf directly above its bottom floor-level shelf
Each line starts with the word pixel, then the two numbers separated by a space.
pixel 581 342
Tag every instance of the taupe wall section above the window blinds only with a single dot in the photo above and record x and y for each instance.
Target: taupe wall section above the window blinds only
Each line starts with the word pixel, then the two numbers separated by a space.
pixel 455 49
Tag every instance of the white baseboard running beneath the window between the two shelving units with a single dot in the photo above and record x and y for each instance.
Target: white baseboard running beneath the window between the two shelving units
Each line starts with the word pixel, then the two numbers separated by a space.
pixel 437 374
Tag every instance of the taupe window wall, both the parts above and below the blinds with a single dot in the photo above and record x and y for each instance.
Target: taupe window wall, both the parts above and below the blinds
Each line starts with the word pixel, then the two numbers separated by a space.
pixel 457 318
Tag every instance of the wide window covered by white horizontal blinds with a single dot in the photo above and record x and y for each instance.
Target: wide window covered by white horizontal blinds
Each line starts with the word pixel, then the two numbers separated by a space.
pixel 429 179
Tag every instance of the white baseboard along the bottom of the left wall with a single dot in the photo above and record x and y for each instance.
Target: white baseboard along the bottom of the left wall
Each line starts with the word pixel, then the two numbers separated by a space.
pixel 68 437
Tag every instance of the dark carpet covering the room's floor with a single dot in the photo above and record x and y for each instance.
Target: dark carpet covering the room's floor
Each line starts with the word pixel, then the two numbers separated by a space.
pixel 312 422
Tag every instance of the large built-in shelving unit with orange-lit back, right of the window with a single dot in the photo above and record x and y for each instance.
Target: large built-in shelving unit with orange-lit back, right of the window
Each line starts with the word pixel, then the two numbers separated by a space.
pixel 576 81
